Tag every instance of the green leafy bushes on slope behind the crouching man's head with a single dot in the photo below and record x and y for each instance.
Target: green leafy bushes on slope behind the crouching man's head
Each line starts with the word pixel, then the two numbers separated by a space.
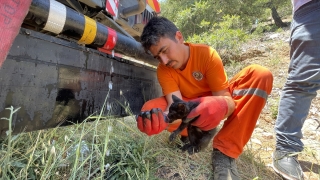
pixel 198 16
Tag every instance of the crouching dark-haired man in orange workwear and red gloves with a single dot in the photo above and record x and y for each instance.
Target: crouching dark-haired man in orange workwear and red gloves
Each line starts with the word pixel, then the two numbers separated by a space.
pixel 195 72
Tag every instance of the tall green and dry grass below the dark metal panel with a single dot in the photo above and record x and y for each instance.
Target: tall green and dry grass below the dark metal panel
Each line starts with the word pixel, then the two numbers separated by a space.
pixel 103 149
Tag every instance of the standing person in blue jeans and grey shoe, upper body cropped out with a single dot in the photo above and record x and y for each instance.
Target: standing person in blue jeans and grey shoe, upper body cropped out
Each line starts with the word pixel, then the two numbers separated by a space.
pixel 301 87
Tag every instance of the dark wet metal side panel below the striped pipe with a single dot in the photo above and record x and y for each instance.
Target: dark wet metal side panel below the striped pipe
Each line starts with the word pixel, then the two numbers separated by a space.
pixel 55 81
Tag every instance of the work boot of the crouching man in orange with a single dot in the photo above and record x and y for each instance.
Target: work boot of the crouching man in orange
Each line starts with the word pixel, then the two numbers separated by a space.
pixel 224 167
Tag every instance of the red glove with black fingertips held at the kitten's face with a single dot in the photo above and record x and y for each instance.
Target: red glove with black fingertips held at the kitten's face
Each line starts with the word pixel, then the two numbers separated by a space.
pixel 152 122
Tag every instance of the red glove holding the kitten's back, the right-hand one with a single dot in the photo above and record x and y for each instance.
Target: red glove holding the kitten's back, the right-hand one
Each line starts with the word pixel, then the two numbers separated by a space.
pixel 211 110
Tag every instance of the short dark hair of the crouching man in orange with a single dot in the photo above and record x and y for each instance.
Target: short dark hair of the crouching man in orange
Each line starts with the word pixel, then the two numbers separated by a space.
pixel 156 28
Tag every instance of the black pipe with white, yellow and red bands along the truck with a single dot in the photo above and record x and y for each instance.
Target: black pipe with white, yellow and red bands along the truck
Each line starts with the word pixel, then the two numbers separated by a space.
pixel 60 19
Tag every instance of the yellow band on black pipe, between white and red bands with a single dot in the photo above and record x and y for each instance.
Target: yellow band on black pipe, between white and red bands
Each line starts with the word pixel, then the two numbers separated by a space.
pixel 90 31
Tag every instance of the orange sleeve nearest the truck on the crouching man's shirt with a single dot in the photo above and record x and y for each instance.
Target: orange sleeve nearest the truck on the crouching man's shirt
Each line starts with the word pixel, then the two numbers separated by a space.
pixel 166 80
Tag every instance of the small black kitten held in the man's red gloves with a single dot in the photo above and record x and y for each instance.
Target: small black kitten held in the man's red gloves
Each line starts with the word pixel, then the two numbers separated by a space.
pixel 198 139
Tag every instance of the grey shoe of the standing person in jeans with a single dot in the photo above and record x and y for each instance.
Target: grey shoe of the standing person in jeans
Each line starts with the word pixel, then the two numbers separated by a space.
pixel 287 165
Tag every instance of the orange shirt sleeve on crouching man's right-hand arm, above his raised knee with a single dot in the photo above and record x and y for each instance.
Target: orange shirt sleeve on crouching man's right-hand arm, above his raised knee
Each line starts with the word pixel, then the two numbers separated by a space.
pixel 215 73
